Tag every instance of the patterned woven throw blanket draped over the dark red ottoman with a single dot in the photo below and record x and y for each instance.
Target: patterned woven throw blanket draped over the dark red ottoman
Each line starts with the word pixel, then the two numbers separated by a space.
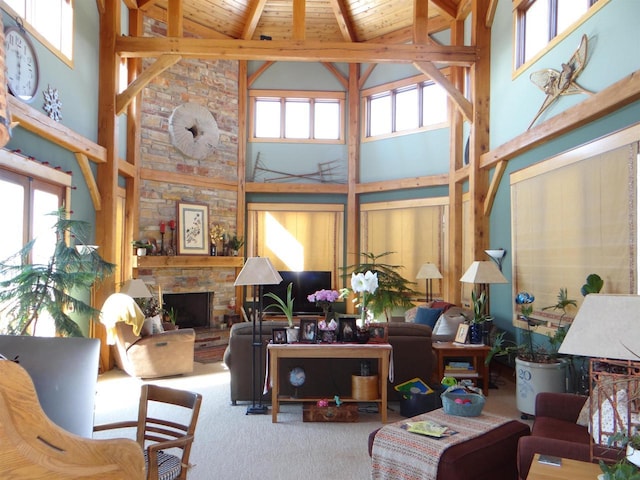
pixel 398 454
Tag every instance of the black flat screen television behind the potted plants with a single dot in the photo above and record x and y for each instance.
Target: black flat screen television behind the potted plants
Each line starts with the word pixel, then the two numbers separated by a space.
pixel 304 283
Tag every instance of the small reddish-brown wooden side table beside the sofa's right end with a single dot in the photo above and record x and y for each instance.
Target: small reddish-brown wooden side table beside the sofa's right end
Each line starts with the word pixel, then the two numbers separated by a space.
pixel 476 354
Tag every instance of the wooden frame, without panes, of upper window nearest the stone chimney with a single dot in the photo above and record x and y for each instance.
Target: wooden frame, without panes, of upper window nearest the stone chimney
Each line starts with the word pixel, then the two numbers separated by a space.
pixel 282 96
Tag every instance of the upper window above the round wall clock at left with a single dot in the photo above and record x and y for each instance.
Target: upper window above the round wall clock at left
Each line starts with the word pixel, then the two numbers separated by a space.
pixel 51 21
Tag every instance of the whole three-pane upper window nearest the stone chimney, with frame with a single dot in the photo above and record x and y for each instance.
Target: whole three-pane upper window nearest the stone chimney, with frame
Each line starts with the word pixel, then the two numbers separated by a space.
pixel 297 116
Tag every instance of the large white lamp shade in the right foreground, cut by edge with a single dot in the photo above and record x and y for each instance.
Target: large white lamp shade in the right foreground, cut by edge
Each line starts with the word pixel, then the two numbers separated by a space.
pixel 606 326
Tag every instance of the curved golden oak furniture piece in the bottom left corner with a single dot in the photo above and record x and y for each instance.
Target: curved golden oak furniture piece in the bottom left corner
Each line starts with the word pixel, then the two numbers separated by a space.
pixel 33 447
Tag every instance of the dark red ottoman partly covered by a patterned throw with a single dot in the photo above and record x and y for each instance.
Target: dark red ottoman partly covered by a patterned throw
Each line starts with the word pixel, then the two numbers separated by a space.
pixel 489 456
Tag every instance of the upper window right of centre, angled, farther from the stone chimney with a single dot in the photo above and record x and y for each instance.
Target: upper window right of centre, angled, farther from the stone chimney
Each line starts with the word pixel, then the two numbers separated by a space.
pixel 410 106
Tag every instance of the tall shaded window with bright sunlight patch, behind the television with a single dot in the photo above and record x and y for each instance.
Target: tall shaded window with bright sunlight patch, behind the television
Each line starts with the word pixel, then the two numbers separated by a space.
pixel 298 237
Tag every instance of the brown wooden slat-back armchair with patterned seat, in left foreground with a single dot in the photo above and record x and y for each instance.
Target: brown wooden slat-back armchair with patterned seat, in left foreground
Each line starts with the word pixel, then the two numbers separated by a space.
pixel 157 435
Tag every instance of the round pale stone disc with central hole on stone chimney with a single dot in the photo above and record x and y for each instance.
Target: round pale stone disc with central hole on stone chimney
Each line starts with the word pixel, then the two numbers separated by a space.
pixel 193 130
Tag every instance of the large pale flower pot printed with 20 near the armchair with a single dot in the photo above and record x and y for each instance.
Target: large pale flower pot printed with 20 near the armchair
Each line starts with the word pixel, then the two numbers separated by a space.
pixel 533 378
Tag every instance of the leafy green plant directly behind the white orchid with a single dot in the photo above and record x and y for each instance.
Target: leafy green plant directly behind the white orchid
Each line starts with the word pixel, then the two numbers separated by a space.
pixel 393 289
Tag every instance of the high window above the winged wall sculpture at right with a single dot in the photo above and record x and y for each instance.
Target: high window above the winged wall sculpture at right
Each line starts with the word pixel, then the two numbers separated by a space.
pixel 539 22
